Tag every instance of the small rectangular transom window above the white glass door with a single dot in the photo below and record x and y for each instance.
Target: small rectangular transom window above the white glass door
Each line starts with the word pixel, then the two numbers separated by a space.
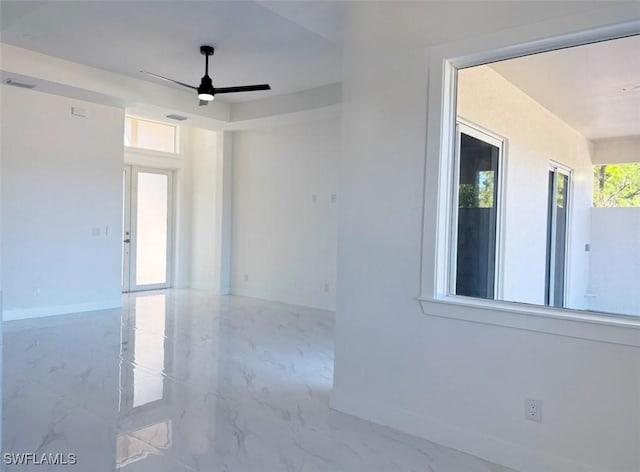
pixel 150 135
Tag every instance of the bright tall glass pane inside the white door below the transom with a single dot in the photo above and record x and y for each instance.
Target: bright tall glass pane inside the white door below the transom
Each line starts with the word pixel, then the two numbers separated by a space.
pixel 151 227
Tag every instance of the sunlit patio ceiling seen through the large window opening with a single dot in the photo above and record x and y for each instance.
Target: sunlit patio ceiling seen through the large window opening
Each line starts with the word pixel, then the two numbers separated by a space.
pixel 589 87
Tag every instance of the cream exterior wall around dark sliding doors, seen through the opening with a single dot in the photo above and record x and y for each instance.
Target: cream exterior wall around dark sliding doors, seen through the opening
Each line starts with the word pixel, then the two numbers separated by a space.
pixel 534 137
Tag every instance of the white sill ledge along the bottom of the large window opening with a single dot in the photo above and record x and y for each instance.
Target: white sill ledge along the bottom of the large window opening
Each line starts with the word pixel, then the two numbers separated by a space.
pixel 601 327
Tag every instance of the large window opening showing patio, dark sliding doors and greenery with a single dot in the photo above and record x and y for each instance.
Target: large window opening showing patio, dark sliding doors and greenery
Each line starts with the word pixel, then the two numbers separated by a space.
pixel 536 231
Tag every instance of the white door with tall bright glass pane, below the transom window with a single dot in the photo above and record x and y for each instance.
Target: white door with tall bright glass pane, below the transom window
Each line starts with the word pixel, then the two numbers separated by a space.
pixel 147 229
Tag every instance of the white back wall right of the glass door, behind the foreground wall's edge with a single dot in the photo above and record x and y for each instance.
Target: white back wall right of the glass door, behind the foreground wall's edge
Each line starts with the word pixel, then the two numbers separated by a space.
pixel 283 241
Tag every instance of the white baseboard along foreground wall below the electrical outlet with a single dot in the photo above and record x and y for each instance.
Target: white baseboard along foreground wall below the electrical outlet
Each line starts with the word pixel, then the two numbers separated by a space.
pixel 491 449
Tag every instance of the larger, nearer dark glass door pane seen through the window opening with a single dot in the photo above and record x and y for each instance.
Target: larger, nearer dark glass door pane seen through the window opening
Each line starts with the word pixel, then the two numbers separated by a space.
pixel 477 217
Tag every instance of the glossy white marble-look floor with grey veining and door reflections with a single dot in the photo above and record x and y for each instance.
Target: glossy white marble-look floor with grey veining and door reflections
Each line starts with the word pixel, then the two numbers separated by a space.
pixel 185 381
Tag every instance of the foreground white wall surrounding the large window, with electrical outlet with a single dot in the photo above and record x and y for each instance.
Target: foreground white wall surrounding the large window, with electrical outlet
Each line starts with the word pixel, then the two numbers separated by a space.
pixel 459 383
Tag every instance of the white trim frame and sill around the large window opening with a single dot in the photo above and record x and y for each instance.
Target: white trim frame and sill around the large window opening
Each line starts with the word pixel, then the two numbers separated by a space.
pixel 444 62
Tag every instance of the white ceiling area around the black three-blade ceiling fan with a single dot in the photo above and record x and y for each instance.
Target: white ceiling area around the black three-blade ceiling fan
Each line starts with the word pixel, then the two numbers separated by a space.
pixel 255 42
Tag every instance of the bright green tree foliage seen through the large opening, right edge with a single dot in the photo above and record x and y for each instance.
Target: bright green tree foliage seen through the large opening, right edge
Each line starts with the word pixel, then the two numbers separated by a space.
pixel 616 185
